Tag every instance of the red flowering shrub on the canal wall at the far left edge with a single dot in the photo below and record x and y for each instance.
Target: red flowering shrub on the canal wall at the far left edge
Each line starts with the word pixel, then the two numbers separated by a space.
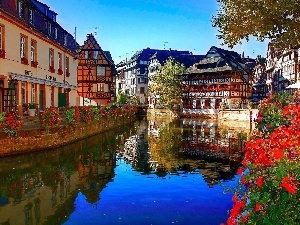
pixel 11 123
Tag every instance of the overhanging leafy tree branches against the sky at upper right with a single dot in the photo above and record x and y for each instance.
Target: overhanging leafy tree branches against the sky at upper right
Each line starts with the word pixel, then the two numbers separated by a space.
pixel 276 20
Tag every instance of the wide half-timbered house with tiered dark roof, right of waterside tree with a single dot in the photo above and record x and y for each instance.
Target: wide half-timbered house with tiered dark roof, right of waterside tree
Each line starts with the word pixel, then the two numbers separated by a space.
pixel 220 78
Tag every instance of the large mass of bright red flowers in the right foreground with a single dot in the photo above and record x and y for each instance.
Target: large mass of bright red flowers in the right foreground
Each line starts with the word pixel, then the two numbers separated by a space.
pixel 270 173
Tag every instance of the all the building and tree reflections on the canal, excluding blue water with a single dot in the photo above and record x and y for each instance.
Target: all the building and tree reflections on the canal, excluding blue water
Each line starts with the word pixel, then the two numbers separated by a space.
pixel 41 188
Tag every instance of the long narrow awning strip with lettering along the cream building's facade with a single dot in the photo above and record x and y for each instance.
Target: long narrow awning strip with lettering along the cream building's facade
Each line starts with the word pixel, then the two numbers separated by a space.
pixel 36 80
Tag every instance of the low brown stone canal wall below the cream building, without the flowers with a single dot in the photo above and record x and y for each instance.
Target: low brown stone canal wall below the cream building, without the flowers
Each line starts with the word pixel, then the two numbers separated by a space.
pixel 32 138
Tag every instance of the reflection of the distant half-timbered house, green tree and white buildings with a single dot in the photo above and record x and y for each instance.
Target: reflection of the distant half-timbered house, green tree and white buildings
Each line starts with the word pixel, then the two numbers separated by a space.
pixel 194 146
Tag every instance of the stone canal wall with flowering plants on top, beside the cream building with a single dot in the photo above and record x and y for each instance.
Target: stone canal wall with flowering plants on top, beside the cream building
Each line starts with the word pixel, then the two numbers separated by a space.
pixel 58 127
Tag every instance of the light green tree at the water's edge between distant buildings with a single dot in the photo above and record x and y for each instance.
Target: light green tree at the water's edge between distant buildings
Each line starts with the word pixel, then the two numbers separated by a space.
pixel 165 84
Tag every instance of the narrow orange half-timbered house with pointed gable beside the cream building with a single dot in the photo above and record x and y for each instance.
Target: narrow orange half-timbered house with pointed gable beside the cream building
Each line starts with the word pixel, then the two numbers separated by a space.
pixel 95 74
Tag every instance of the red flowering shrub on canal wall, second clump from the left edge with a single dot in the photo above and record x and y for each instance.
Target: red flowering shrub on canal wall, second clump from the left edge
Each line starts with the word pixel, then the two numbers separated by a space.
pixel 50 118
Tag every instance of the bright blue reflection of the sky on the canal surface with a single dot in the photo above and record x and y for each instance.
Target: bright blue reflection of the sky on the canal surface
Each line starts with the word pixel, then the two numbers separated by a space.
pixel 135 199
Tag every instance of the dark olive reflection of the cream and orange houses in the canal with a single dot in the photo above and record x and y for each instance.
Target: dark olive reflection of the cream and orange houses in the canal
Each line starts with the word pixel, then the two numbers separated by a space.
pixel 41 188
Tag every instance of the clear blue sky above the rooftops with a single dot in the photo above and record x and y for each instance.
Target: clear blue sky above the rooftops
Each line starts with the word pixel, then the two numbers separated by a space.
pixel 126 26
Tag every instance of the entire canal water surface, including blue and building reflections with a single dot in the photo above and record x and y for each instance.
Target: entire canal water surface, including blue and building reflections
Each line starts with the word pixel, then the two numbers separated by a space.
pixel 162 172
